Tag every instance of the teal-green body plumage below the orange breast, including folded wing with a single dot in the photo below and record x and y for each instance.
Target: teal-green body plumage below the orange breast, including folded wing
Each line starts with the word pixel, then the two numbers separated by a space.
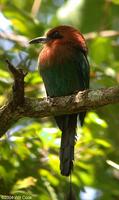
pixel 67 77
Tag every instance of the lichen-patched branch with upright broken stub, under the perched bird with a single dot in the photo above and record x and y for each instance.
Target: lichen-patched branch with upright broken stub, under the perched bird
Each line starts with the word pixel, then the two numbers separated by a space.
pixel 19 106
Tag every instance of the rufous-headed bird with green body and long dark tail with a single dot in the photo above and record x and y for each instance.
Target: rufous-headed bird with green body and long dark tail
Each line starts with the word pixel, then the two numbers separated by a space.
pixel 64 68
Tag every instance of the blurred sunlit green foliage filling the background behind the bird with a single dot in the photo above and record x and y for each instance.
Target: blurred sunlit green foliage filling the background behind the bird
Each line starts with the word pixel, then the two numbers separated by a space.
pixel 29 153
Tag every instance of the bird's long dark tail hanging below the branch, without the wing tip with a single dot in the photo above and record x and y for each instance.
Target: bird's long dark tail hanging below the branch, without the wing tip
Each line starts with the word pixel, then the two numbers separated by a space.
pixel 67 124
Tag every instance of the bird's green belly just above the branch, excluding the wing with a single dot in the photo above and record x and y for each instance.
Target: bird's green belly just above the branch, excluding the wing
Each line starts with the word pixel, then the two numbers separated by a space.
pixel 60 81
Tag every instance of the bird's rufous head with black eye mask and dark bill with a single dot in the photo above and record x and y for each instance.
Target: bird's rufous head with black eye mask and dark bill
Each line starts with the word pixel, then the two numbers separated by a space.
pixel 62 35
